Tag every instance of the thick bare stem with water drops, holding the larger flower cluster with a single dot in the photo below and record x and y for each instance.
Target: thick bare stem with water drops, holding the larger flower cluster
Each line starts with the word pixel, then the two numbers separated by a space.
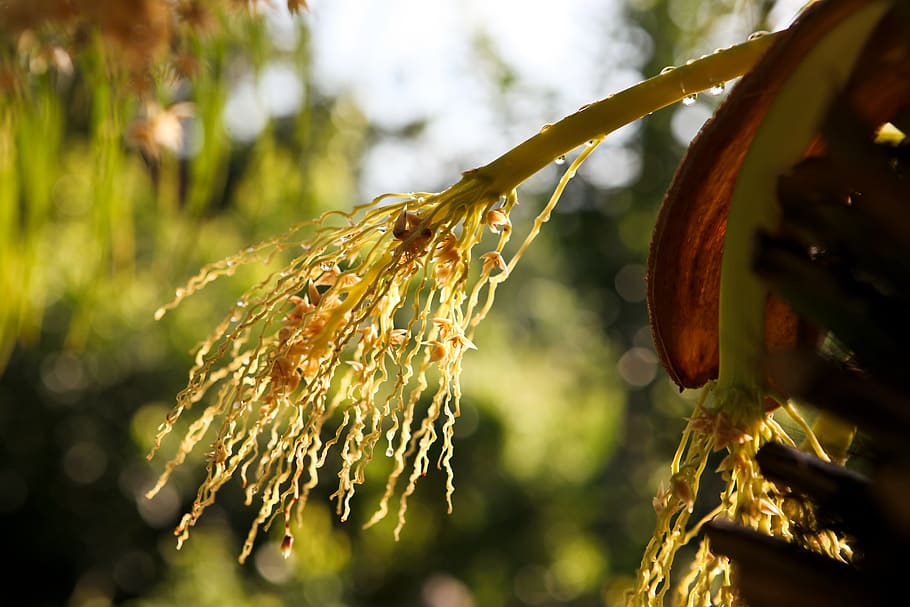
pixel 596 120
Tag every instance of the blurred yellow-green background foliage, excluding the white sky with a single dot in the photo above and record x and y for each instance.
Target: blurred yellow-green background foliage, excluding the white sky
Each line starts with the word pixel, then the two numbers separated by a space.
pixel 567 418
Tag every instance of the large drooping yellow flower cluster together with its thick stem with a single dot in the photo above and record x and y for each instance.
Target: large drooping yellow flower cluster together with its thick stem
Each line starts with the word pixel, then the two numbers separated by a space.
pixel 338 337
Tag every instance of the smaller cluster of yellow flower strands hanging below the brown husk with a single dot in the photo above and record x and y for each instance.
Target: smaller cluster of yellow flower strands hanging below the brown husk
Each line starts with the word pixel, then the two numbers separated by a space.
pixel 747 498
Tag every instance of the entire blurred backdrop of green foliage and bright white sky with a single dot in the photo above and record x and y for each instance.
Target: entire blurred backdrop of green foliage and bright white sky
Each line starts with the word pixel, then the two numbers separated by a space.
pixel 568 419
